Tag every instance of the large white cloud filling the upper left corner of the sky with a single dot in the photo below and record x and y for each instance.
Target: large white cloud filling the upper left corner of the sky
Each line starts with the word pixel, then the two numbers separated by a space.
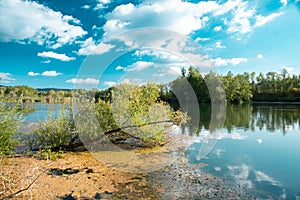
pixel 29 21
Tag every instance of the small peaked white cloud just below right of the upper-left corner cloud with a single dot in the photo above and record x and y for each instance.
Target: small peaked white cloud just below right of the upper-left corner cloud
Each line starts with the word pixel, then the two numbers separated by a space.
pixel 90 48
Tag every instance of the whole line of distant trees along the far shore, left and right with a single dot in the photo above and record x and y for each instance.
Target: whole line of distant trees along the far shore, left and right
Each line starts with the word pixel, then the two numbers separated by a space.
pixel 240 88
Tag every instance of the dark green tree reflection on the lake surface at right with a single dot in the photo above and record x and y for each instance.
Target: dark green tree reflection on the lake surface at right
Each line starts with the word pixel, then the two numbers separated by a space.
pixel 254 117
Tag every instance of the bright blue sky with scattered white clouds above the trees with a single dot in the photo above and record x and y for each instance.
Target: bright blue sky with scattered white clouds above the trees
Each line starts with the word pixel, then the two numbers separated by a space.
pixel 47 43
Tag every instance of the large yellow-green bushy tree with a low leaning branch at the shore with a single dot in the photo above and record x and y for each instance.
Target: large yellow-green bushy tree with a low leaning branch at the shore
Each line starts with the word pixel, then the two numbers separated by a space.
pixel 133 112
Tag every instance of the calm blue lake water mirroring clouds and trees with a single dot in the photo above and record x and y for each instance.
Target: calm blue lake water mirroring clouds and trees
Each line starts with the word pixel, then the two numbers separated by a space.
pixel 258 148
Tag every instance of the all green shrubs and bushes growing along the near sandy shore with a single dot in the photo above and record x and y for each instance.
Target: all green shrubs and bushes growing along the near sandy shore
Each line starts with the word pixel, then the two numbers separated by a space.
pixel 132 112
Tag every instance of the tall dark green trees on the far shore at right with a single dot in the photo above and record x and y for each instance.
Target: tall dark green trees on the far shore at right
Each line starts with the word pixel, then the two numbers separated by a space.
pixel 240 88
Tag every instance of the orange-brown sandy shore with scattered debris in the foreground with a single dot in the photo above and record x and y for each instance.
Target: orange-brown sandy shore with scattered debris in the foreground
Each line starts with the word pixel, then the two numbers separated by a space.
pixel 79 175
